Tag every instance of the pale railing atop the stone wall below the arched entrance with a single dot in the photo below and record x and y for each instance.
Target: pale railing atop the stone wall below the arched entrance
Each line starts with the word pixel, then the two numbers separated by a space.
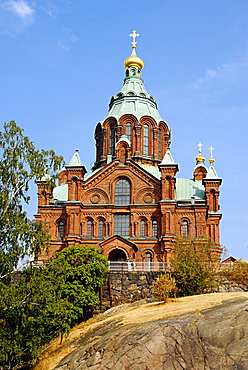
pixel 130 266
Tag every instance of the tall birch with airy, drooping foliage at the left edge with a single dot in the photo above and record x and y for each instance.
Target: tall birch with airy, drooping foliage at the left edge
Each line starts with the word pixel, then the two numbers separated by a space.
pixel 20 162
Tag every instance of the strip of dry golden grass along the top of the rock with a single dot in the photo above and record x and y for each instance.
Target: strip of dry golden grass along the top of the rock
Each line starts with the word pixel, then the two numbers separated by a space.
pixel 55 352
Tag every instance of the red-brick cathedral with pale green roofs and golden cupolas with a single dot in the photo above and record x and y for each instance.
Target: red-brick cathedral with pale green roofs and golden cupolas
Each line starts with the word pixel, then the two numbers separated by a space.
pixel 132 205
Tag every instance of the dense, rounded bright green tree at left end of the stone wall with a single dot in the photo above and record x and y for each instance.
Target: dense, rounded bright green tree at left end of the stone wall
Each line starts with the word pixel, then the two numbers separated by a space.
pixel 80 271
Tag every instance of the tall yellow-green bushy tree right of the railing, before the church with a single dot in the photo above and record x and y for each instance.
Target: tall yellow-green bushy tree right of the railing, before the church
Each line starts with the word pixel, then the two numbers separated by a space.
pixel 192 266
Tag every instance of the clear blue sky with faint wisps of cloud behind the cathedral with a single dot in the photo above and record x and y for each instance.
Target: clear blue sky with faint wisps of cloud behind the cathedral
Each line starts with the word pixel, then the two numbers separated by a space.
pixel 61 61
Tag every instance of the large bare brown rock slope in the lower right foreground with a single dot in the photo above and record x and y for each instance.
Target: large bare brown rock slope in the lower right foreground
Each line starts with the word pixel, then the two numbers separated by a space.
pixel 215 338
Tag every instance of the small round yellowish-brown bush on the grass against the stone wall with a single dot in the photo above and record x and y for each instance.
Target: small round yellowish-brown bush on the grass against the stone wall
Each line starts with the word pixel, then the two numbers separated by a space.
pixel 164 287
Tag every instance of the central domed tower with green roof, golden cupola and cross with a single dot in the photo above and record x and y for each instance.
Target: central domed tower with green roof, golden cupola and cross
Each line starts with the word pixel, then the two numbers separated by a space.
pixel 133 113
